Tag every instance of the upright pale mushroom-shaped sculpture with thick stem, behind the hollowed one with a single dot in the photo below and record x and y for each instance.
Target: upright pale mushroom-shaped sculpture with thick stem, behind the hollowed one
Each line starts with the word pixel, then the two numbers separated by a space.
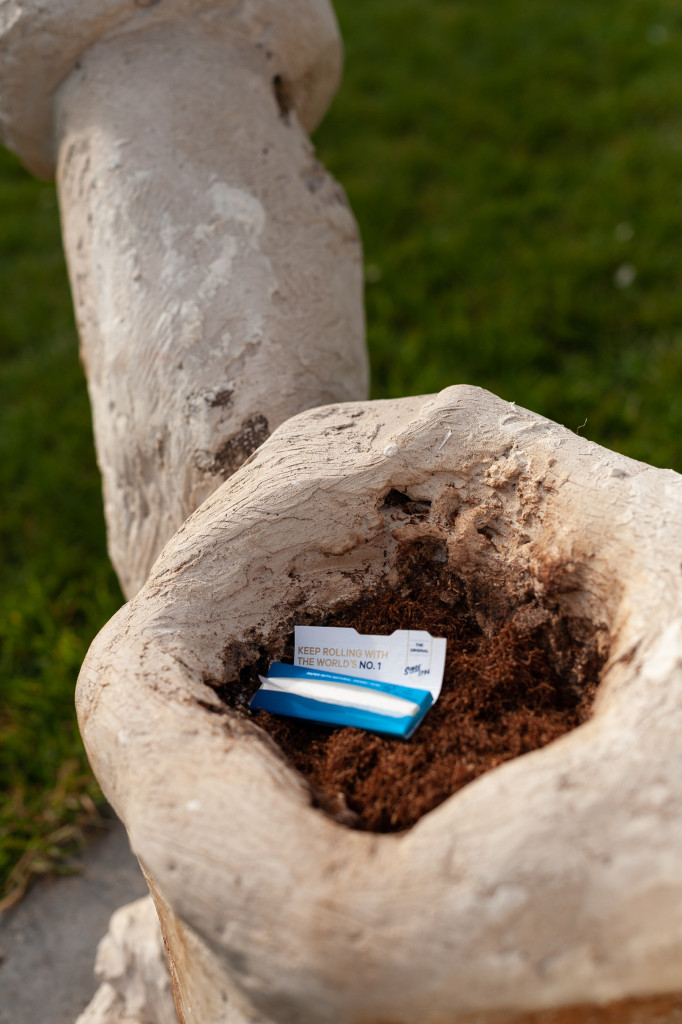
pixel 216 267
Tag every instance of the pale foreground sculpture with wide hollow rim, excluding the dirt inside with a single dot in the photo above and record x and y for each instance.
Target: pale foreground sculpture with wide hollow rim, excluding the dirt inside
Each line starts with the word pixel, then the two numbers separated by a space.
pixel 550 884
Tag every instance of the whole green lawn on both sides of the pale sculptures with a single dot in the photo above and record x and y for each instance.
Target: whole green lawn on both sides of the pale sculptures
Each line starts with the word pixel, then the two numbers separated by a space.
pixel 510 164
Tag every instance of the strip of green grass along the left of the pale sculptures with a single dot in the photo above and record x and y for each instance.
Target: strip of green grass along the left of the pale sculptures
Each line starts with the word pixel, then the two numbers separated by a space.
pixel 58 588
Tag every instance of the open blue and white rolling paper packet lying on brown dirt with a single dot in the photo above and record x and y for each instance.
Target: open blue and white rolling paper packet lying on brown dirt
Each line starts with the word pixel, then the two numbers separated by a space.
pixel 366 694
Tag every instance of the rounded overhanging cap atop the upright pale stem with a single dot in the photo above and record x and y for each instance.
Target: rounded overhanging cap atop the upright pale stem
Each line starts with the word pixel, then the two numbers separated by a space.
pixel 42 44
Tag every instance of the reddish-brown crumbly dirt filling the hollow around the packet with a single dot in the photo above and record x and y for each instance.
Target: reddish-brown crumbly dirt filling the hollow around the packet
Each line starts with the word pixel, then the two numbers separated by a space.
pixel 527 679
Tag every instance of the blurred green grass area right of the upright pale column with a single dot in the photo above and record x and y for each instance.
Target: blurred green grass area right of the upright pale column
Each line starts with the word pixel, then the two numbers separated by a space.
pixel 498 158
